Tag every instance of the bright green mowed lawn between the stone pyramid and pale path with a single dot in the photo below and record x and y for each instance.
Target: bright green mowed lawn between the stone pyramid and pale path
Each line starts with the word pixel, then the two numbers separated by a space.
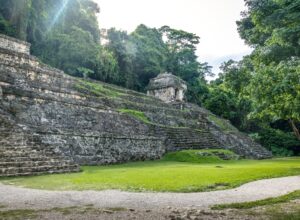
pixel 178 172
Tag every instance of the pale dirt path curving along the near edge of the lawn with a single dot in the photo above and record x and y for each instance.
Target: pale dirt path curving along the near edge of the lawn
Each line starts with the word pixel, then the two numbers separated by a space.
pixel 18 198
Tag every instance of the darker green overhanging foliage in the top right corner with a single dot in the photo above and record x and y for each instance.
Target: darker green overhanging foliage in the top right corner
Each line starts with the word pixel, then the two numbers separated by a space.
pixel 272 27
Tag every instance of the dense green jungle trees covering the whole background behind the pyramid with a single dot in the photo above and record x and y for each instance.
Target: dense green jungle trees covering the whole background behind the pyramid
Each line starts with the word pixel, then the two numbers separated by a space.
pixel 260 94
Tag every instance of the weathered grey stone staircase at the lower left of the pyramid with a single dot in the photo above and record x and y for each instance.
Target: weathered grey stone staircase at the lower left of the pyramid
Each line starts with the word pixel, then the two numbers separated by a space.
pixel 22 155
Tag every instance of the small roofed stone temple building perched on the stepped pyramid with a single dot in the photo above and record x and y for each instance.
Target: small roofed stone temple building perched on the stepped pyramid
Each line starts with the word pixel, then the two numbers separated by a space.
pixel 167 87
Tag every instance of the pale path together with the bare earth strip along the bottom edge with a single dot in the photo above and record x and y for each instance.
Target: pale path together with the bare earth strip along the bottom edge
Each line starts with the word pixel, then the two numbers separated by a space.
pixel 113 204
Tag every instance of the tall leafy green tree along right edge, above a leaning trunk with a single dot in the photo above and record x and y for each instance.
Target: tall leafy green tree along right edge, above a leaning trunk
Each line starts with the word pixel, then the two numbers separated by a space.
pixel 272 28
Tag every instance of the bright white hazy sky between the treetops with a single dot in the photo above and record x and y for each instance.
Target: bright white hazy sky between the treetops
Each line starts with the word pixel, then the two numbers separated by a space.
pixel 212 20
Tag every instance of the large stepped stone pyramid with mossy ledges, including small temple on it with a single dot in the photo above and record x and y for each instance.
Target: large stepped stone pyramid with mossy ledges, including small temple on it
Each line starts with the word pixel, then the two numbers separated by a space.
pixel 51 122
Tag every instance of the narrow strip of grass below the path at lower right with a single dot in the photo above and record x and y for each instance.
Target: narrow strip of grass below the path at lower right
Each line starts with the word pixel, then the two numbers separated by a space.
pixel 270 201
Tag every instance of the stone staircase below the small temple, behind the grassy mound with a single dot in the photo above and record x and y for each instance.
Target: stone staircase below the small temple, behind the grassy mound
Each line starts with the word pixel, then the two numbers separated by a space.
pixel 187 138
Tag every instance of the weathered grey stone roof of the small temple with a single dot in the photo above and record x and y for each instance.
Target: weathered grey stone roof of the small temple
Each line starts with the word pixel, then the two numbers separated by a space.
pixel 165 80
